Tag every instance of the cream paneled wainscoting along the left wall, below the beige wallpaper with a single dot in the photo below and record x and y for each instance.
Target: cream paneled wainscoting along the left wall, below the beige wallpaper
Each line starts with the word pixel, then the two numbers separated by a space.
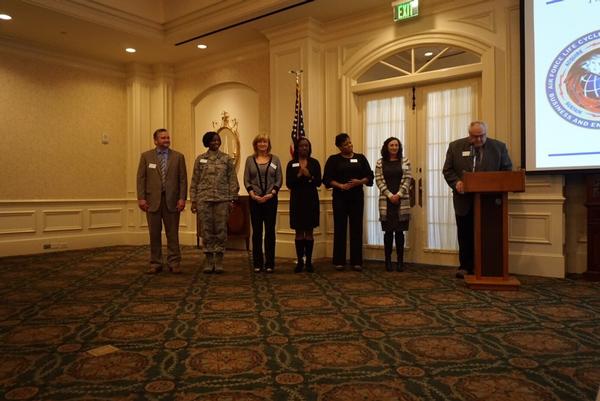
pixel 47 225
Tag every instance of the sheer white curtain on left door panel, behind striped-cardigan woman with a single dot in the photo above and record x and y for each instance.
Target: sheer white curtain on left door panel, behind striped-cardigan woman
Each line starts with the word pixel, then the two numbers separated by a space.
pixel 383 118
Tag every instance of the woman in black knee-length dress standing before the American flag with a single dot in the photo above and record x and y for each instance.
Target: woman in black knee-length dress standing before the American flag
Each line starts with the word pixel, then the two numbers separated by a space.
pixel 303 177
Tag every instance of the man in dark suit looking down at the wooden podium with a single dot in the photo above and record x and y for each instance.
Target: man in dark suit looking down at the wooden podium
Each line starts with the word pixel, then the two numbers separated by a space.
pixel 473 153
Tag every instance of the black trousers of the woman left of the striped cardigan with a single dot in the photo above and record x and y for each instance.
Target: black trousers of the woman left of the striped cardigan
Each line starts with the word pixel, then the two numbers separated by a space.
pixel 347 209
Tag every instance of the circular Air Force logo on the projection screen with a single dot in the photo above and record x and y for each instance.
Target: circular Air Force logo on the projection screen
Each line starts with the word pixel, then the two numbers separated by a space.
pixel 573 82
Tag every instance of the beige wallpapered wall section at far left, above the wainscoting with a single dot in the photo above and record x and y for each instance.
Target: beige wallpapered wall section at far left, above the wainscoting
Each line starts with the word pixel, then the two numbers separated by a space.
pixel 53 117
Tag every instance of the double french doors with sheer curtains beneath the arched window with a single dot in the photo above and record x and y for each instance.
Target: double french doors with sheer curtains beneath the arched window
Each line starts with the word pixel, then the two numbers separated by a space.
pixel 425 123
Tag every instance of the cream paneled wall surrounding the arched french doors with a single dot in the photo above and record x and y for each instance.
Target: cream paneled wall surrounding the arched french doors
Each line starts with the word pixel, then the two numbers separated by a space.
pixel 335 55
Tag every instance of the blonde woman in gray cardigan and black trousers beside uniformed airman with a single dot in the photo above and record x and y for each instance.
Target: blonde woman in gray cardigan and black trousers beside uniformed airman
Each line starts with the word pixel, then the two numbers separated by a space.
pixel 263 179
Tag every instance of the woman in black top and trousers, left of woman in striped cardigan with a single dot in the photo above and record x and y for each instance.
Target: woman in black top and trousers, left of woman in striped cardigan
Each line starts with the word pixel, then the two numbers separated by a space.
pixel 347 172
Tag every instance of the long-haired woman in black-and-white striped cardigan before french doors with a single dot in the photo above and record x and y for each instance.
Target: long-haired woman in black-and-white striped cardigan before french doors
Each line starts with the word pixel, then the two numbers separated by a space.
pixel 393 177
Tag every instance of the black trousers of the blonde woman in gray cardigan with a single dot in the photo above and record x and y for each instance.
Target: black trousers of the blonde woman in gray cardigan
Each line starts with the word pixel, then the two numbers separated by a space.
pixel 263 214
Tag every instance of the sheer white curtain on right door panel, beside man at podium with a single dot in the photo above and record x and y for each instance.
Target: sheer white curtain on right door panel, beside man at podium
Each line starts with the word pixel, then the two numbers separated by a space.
pixel 449 113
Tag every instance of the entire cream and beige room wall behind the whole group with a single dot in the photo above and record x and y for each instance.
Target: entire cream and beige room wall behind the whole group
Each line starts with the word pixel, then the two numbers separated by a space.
pixel 54 115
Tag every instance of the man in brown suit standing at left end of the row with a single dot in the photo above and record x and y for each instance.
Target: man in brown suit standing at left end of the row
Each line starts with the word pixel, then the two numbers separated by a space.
pixel 162 191
